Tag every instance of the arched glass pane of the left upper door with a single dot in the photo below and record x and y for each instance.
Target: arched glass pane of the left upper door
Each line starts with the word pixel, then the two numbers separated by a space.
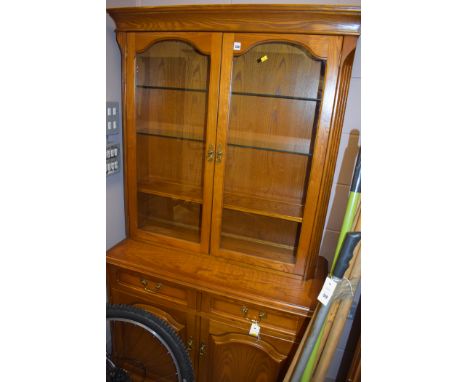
pixel 171 102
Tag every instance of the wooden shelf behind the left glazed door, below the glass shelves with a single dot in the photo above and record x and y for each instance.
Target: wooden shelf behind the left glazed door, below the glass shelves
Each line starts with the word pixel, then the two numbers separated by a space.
pixel 188 193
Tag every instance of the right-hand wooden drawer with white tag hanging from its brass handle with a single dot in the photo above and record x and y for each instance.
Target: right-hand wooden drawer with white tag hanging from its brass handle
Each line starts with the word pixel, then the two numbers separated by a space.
pixel 246 312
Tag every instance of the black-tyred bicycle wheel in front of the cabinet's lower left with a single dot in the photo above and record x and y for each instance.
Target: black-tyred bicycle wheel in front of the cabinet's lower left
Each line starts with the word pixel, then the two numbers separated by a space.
pixel 143 347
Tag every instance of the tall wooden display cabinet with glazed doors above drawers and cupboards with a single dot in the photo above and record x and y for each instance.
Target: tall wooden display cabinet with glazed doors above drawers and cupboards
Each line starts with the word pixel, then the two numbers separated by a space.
pixel 232 121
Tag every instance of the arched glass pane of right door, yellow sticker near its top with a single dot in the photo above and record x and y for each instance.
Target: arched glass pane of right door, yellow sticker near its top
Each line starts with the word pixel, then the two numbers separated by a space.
pixel 275 100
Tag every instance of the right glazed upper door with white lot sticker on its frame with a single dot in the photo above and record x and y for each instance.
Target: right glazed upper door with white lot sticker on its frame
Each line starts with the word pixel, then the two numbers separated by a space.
pixel 276 101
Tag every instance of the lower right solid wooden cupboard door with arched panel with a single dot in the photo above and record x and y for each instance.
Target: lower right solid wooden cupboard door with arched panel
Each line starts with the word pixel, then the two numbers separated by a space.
pixel 227 353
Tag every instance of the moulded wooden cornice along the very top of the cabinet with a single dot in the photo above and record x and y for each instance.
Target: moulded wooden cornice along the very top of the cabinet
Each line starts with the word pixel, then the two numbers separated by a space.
pixel 279 18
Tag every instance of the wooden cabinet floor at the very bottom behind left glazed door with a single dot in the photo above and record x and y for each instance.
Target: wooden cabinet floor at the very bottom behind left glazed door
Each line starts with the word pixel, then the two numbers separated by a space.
pixel 170 228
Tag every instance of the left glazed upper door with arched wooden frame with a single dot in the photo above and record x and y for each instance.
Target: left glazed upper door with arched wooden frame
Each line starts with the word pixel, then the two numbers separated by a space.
pixel 171 98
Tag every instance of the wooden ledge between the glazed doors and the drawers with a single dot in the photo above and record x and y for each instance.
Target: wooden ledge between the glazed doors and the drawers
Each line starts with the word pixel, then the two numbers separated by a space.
pixel 209 274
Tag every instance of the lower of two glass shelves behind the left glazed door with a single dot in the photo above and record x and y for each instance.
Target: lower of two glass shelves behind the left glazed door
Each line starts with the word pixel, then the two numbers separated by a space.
pixel 169 130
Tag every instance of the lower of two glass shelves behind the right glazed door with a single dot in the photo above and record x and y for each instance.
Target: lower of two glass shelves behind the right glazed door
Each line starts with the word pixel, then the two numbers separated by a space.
pixel 278 143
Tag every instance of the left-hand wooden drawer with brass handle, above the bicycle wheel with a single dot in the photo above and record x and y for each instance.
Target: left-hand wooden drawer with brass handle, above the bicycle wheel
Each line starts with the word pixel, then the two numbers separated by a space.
pixel 154 288
